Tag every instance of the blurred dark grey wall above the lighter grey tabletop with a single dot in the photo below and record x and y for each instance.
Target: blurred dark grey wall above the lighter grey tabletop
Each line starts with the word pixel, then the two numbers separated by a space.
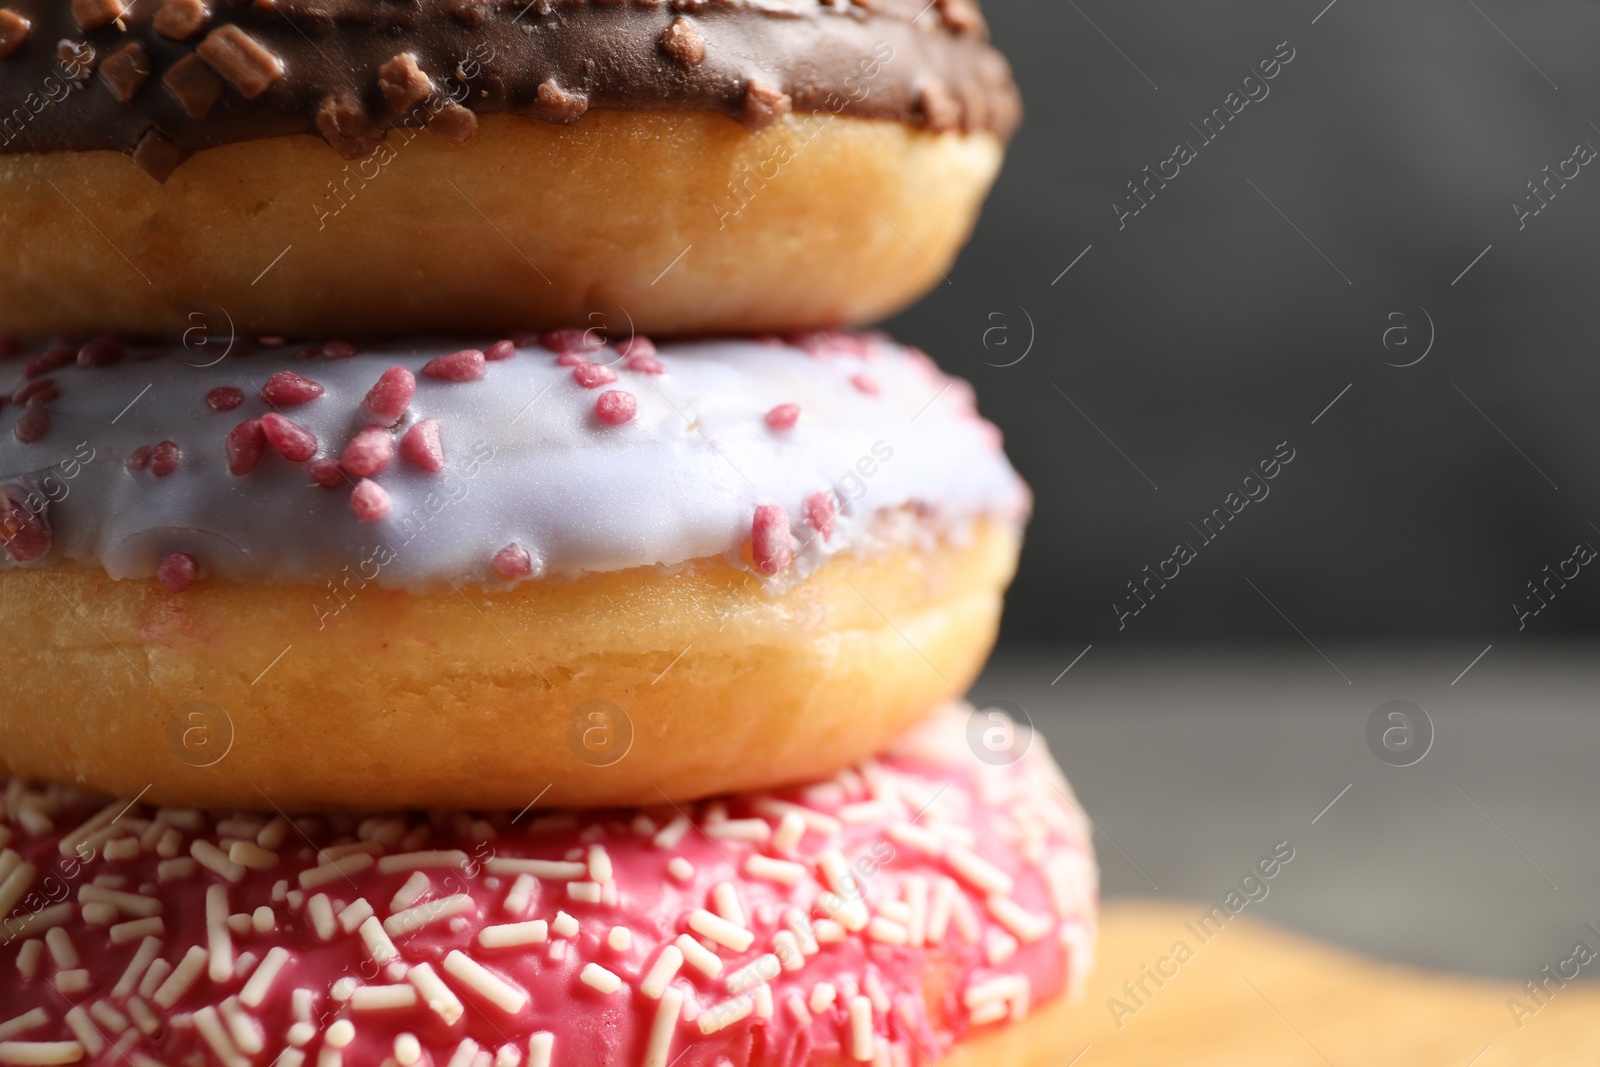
pixel 1178 351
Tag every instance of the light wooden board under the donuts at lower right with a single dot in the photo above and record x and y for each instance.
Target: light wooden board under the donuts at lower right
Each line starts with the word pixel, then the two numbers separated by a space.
pixel 1255 994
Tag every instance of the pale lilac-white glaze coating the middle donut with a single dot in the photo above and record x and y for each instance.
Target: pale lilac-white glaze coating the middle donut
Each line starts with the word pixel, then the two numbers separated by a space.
pixel 527 462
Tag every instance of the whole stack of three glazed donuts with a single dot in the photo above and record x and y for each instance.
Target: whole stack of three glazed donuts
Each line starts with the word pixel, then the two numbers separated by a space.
pixel 468 601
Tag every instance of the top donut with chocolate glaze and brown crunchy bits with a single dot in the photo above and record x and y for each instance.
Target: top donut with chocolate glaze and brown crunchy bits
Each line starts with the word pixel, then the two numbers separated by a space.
pixel 702 167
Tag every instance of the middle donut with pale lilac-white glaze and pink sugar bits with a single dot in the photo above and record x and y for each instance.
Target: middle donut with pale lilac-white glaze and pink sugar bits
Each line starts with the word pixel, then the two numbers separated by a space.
pixel 404 575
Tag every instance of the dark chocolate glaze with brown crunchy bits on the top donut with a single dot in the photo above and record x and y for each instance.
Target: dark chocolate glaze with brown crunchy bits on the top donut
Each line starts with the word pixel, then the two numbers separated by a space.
pixel 174 78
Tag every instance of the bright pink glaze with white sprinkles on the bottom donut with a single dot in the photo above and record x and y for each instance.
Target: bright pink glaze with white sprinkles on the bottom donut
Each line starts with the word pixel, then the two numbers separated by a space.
pixel 148 937
